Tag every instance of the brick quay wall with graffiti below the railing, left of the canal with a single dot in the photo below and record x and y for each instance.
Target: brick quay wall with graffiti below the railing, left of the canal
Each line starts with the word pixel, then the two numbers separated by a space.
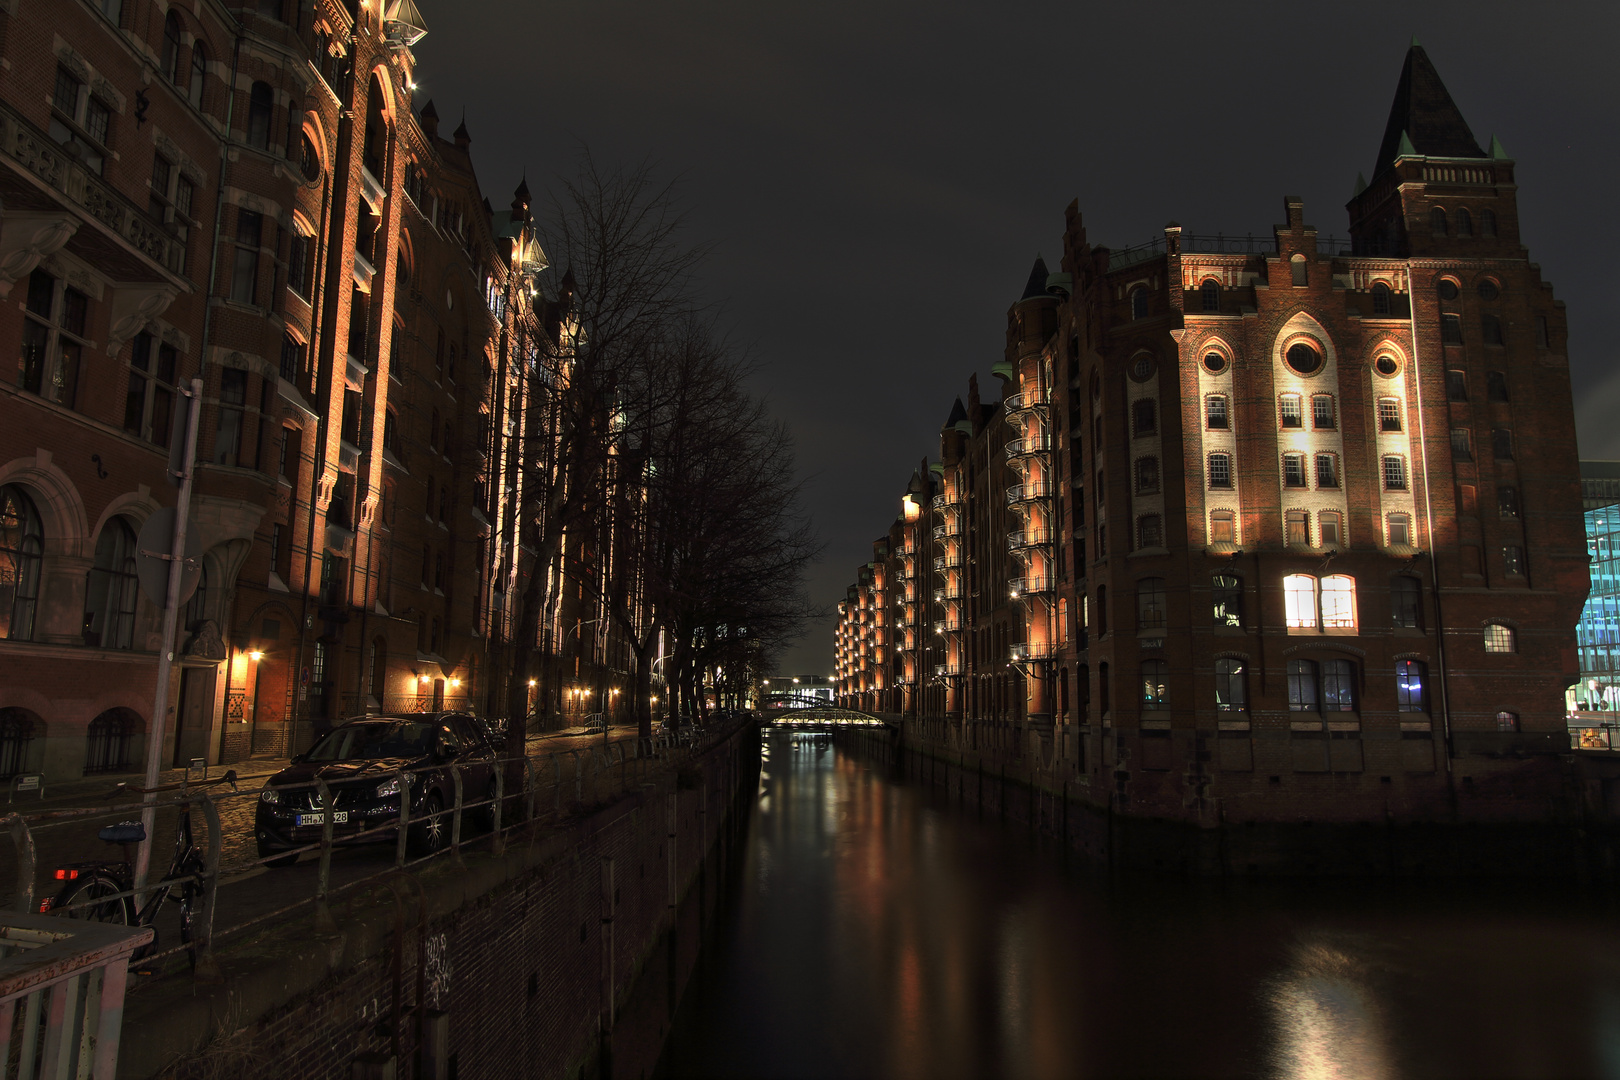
pixel 535 963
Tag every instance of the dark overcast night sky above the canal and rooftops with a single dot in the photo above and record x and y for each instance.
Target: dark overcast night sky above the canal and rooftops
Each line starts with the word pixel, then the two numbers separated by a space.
pixel 879 176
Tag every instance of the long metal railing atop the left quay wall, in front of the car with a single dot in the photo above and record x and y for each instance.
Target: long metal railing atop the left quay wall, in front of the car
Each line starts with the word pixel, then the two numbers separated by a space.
pixel 553 788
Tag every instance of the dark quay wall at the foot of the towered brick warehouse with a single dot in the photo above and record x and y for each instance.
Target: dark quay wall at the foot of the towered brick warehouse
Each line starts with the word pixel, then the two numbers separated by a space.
pixel 1572 836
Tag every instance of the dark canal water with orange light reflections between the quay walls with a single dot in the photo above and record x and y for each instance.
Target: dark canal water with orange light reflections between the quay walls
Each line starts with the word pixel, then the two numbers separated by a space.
pixel 877 930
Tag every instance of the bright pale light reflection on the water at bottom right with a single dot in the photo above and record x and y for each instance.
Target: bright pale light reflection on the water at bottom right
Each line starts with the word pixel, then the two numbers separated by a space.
pixel 1329 1021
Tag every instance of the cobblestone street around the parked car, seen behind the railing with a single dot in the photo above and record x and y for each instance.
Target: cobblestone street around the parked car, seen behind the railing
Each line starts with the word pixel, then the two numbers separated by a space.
pixel 255 891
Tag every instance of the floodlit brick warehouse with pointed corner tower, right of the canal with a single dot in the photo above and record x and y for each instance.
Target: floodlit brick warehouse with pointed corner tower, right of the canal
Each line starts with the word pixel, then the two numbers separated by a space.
pixel 1295 525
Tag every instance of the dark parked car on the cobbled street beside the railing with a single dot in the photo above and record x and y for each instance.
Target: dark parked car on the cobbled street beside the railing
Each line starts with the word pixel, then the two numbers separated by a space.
pixel 359 760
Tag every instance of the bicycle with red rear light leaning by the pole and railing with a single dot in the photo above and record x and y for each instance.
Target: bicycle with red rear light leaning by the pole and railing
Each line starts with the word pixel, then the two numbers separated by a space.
pixel 104 893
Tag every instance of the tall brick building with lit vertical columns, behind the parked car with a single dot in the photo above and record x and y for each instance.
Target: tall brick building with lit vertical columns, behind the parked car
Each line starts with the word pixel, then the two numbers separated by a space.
pixel 247 195
